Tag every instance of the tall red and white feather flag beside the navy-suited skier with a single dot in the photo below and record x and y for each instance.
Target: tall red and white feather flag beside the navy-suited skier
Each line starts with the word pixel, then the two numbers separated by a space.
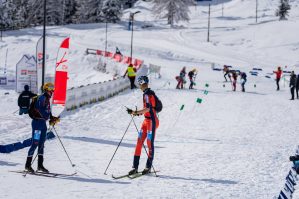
pixel 61 77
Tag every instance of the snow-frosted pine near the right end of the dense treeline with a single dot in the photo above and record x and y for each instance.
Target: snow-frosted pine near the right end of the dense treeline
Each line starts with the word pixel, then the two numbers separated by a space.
pixel 111 10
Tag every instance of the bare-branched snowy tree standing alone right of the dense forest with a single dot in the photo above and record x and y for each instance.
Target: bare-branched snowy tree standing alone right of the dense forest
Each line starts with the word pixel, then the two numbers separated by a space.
pixel 173 10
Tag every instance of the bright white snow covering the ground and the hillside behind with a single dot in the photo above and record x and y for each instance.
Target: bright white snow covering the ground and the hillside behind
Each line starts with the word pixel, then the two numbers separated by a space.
pixel 232 145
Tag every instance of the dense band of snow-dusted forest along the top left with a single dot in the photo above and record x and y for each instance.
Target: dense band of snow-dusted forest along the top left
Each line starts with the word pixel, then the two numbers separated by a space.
pixel 27 13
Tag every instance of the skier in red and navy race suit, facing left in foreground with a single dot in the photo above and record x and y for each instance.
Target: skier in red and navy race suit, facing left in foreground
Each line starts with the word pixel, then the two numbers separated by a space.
pixel 148 128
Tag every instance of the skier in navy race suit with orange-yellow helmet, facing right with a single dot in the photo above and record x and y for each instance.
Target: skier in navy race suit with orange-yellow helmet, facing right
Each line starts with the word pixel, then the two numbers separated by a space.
pixel 41 113
